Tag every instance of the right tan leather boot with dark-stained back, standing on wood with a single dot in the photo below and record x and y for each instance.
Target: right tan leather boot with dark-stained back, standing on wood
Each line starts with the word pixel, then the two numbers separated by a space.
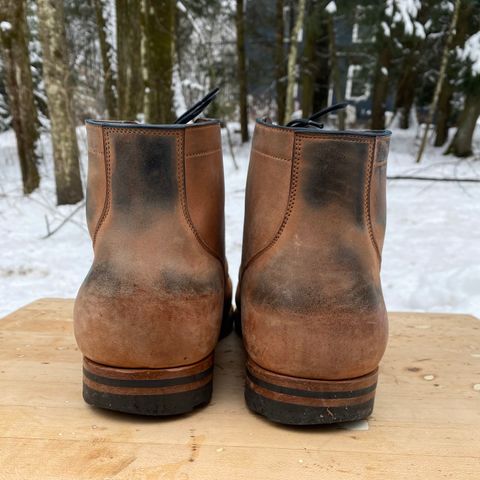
pixel 313 317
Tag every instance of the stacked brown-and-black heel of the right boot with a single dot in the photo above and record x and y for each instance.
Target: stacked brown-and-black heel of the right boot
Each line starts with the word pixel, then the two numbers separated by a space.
pixel 301 401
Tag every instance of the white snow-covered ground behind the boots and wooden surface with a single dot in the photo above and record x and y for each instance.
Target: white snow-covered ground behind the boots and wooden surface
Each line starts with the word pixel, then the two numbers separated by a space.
pixel 431 255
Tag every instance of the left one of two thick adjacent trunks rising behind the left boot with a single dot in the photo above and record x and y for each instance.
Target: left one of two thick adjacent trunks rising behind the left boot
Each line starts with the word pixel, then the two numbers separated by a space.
pixel 130 86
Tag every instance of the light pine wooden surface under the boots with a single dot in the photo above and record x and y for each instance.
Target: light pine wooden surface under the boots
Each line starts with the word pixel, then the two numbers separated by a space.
pixel 426 422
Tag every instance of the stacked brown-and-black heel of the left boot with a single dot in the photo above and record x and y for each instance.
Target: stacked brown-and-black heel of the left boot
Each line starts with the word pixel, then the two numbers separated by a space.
pixel 157 392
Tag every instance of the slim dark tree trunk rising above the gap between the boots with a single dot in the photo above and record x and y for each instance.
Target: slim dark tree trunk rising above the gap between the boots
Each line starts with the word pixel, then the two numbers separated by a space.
pixel 242 70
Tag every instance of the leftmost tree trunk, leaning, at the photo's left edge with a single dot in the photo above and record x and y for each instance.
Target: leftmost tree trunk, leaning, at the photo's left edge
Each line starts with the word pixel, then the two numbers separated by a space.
pixel 19 86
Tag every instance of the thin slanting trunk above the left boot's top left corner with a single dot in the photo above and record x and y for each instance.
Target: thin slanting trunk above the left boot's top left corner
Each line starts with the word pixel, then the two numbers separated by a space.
pixel 105 51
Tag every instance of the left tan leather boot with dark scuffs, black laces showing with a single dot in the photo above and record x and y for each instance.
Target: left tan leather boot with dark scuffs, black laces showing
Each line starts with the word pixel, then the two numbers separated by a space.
pixel 149 313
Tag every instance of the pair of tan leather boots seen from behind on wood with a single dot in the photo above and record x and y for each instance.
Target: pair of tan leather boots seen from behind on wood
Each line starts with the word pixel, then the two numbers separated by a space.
pixel 158 296
